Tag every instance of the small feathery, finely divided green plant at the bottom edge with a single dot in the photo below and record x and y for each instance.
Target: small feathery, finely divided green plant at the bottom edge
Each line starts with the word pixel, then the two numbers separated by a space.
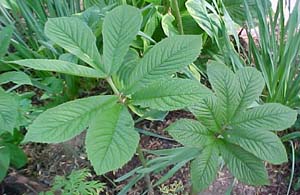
pixel 75 184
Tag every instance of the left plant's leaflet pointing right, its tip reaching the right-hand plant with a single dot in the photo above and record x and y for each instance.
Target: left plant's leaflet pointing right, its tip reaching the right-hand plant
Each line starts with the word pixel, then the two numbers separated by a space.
pixel 172 94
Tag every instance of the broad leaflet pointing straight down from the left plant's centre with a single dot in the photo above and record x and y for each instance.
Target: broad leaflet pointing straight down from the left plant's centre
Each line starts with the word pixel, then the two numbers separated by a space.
pixel 111 140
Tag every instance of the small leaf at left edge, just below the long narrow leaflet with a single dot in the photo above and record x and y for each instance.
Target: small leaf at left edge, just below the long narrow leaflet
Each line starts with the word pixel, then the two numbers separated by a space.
pixel 17 77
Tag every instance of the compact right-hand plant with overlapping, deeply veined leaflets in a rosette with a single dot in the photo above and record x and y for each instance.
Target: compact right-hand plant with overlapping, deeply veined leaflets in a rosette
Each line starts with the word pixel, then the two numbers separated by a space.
pixel 232 125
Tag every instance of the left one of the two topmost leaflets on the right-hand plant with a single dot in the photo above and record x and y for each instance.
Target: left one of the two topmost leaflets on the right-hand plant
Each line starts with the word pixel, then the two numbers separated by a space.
pixel 225 84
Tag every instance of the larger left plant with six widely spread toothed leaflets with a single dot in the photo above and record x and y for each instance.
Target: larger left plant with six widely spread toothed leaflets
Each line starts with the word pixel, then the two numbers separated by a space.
pixel 146 83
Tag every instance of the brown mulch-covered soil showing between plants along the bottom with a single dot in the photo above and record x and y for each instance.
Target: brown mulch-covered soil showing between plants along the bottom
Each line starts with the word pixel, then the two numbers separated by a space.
pixel 47 161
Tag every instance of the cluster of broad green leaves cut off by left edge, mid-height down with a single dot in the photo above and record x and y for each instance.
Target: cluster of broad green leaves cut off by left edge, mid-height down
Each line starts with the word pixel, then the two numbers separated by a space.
pixel 14 110
